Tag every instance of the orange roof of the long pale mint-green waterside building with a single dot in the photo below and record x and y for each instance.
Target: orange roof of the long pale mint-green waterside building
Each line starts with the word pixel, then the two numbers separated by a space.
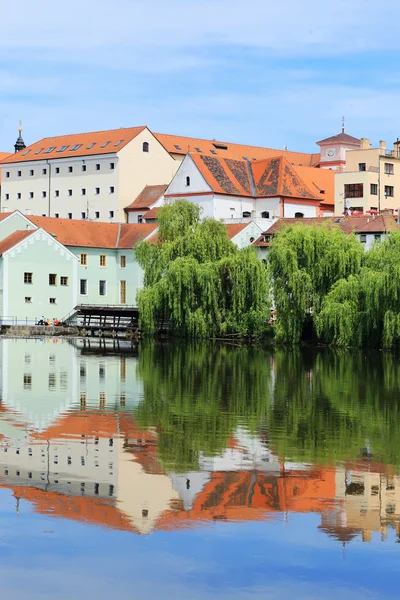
pixel 94 234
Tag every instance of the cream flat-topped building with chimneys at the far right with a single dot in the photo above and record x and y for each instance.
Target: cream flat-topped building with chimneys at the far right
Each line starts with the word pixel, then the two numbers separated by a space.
pixel 371 180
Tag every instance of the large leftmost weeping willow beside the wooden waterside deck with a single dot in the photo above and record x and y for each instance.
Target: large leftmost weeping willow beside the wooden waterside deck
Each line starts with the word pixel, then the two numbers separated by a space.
pixel 198 281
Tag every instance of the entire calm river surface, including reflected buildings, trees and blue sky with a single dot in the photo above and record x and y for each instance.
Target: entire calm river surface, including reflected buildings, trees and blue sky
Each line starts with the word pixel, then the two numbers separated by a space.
pixel 197 472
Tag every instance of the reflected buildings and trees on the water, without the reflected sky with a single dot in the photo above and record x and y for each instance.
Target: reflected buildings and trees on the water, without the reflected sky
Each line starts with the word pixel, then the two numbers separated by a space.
pixel 174 437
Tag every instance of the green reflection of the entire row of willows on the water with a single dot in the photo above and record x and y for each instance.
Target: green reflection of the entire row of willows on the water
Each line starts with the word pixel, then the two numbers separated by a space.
pixel 317 406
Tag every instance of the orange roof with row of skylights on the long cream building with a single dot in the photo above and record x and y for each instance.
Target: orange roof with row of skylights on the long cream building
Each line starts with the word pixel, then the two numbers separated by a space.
pixel 76 144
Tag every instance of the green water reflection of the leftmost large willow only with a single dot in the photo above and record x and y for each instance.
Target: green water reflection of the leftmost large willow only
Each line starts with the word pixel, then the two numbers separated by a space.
pixel 196 395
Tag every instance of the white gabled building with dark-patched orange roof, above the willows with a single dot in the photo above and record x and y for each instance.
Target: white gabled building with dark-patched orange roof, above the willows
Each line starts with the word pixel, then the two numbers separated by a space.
pixel 231 189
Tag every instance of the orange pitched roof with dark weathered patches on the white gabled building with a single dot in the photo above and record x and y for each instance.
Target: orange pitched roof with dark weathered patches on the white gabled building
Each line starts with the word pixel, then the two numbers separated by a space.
pixel 264 178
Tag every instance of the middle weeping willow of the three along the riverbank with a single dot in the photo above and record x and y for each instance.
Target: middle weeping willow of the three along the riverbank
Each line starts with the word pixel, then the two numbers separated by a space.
pixel 304 262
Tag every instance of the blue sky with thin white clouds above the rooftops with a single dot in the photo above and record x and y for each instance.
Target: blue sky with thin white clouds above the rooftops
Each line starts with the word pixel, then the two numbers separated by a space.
pixel 263 72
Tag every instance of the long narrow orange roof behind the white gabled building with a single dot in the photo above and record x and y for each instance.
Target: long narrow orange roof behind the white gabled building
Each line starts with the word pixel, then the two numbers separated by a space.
pixel 176 144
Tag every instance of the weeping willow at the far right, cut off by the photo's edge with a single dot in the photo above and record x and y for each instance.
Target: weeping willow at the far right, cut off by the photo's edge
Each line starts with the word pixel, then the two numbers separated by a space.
pixel 364 309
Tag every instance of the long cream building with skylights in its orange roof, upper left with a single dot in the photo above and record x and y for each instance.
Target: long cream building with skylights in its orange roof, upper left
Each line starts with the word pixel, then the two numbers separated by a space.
pixel 86 175
